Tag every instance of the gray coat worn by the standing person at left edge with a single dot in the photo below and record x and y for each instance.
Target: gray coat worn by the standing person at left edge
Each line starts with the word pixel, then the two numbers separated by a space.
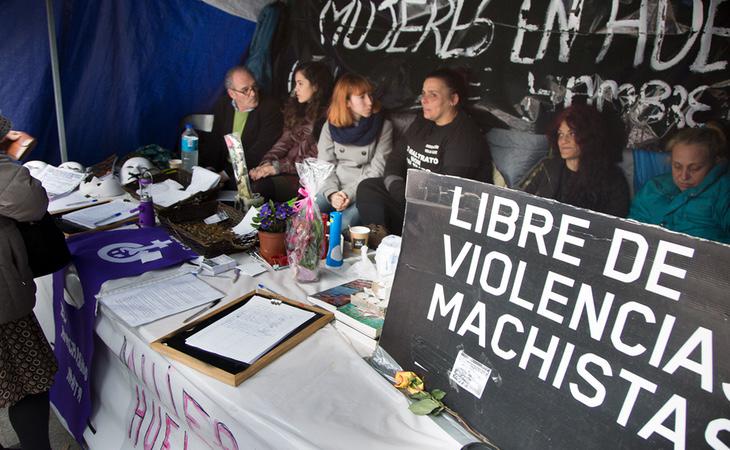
pixel 23 199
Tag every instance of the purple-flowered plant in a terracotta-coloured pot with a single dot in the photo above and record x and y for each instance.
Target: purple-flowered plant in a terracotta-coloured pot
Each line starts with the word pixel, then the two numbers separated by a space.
pixel 271 222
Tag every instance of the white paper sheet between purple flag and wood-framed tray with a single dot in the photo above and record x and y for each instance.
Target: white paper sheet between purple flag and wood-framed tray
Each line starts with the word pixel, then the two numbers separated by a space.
pixel 157 299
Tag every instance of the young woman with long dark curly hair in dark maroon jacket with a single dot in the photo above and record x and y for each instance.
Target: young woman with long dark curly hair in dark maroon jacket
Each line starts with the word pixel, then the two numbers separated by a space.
pixel 276 177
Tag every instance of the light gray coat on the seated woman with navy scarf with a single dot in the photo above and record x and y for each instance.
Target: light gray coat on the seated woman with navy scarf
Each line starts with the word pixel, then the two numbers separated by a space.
pixel 353 163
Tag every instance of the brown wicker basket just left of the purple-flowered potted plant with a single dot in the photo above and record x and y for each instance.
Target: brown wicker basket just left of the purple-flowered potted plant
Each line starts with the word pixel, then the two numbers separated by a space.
pixel 215 239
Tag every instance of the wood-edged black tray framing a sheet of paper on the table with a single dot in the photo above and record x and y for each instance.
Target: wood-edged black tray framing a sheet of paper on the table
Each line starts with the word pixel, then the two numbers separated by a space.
pixel 228 370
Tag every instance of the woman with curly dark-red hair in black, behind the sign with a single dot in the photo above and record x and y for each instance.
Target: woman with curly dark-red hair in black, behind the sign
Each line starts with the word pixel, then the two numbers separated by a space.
pixel 585 174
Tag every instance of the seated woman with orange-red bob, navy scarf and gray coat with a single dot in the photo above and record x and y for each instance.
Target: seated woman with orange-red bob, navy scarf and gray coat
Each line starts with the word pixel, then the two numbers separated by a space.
pixel 357 140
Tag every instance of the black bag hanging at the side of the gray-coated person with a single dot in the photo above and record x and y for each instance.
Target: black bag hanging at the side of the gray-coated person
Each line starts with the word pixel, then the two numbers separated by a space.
pixel 45 245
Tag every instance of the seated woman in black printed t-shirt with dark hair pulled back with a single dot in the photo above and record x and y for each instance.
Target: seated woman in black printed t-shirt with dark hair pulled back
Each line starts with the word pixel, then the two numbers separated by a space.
pixel 444 140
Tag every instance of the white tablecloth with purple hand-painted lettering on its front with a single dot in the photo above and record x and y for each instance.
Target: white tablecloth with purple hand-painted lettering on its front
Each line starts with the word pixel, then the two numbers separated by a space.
pixel 320 394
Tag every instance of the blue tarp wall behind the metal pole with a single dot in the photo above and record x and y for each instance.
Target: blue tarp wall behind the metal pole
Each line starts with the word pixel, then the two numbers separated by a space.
pixel 130 70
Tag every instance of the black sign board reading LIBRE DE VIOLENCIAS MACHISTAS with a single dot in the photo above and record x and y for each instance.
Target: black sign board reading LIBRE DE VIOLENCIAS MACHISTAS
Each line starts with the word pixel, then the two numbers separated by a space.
pixel 551 326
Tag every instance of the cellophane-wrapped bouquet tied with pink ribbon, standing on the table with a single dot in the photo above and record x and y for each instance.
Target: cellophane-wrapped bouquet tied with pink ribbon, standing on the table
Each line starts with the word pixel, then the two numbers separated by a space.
pixel 305 232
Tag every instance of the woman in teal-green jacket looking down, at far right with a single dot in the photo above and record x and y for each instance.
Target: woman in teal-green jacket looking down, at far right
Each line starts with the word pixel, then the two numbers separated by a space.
pixel 694 198
